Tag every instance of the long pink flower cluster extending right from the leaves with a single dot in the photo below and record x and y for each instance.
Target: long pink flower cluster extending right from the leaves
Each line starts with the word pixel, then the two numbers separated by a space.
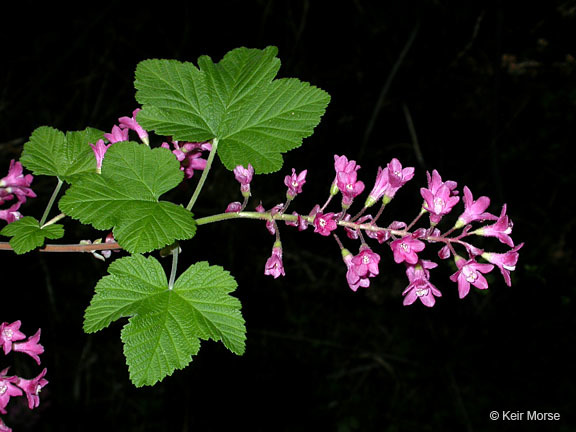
pixel 407 244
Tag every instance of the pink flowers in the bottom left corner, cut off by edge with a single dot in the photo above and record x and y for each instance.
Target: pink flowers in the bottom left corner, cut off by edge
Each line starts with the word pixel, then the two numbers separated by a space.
pixel 12 339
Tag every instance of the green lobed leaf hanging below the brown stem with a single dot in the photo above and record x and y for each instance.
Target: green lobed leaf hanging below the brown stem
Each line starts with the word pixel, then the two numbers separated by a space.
pixel 166 325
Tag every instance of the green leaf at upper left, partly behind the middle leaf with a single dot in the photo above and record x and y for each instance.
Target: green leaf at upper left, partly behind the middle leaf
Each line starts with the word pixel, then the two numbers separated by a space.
pixel 66 156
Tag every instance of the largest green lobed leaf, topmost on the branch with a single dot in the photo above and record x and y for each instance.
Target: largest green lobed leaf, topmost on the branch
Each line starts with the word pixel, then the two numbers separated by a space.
pixel 255 117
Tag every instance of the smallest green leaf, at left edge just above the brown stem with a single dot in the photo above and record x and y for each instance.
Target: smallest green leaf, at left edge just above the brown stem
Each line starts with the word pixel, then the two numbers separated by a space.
pixel 27 234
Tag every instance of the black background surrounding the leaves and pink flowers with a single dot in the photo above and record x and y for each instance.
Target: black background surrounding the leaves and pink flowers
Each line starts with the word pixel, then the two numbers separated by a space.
pixel 490 91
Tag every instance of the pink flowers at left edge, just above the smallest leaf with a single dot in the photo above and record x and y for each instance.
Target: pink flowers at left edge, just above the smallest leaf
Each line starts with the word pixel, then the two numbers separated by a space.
pixel 15 187
